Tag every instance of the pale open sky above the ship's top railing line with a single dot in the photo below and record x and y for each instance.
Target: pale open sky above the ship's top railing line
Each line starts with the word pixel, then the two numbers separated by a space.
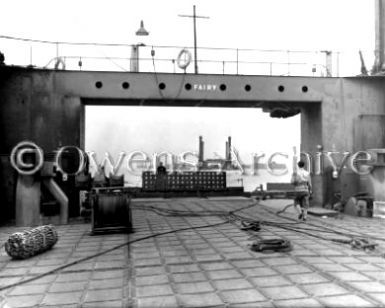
pixel 344 25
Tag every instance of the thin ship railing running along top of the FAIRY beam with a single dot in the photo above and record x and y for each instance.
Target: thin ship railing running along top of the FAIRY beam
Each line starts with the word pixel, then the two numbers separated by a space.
pixel 166 59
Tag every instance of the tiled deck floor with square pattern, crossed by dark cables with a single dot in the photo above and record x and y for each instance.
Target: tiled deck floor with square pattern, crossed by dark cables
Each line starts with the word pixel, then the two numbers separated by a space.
pixel 204 267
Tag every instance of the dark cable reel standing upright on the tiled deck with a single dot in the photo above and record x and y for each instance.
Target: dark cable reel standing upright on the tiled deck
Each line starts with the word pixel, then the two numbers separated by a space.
pixel 111 211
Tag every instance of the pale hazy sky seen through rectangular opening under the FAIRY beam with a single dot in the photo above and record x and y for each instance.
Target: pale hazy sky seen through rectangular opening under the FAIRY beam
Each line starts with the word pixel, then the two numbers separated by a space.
pixel 261 146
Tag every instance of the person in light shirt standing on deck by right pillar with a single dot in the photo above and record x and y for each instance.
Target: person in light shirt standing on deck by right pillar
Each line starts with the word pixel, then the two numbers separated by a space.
pixel 302 183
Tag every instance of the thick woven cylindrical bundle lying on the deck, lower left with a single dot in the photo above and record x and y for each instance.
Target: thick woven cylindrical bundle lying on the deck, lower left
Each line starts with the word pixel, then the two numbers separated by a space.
pixel 23 245
